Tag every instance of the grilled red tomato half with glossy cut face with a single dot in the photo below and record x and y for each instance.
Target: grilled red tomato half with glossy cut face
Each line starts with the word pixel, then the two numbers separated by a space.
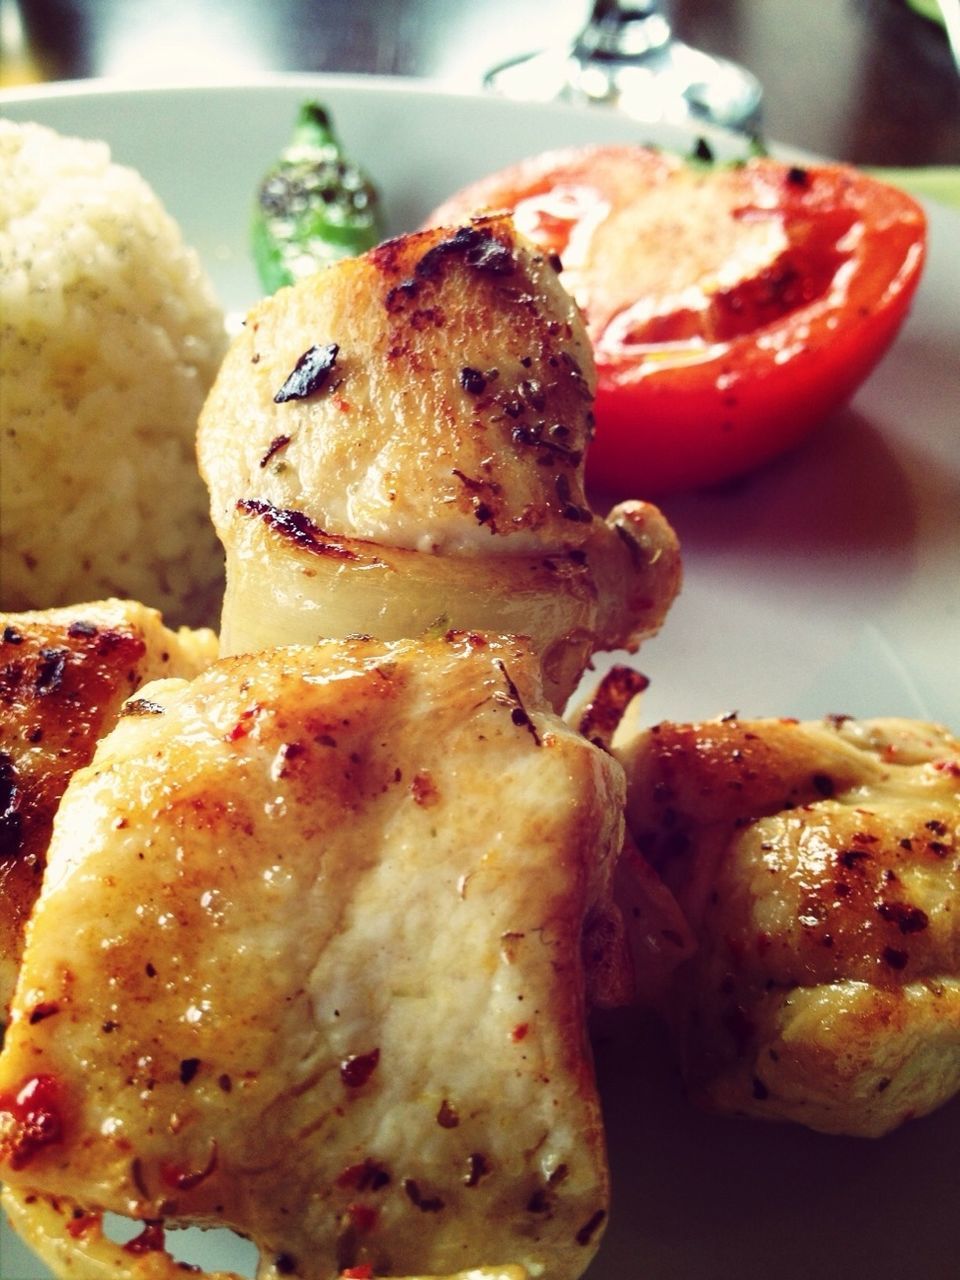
pixel 711 392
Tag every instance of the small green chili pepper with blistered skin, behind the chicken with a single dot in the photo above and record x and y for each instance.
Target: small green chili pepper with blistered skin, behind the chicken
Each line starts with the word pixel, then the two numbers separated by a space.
pixel 314 207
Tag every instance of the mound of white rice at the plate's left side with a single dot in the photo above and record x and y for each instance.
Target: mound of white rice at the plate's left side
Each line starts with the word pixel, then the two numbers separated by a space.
pixel 111 339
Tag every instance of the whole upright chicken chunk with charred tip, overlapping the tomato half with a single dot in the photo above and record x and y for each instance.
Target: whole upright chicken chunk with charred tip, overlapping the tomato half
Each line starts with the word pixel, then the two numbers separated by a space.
pixel 400 441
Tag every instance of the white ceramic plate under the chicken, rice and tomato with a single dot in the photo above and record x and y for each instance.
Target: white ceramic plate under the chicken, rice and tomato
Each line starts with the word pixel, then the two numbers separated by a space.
pixel 830 582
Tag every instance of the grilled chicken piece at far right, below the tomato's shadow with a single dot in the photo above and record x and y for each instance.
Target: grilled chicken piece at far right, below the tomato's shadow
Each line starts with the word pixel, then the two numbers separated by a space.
pixel 820 868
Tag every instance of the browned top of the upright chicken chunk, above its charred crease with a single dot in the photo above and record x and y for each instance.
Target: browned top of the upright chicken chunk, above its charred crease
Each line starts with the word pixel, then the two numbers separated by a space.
pixel 460 392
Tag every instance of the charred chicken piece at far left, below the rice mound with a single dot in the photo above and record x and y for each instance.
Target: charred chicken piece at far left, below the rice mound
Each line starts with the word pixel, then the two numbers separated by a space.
pixel 63 678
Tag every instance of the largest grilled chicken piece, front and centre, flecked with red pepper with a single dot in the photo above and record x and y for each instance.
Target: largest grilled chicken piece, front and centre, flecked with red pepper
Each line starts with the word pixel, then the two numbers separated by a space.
pixel 330 912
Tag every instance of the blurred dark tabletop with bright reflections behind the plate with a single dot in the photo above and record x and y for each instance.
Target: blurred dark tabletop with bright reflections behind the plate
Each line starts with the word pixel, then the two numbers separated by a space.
pixel 866 81
